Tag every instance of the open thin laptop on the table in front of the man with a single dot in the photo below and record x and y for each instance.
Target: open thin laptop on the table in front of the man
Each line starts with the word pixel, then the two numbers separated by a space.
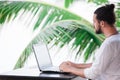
pixel 44 60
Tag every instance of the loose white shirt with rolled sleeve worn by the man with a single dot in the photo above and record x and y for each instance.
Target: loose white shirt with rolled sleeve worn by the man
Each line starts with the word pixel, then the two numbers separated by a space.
pixel 107 61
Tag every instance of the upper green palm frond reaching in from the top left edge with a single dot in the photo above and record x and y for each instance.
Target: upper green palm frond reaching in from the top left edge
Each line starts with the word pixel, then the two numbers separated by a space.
pixel 47 14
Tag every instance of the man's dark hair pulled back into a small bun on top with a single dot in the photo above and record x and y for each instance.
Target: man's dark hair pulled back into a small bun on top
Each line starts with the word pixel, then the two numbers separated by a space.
pixel 106 13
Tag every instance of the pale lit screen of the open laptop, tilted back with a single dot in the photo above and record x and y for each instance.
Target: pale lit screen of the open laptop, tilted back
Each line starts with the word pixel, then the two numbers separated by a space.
pixel 42 55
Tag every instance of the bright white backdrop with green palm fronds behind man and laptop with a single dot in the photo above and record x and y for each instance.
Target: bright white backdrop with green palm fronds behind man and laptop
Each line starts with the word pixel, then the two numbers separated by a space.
pixel 64 25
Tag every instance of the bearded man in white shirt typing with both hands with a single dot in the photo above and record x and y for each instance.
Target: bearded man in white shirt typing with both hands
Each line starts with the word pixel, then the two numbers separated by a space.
pixel 107 59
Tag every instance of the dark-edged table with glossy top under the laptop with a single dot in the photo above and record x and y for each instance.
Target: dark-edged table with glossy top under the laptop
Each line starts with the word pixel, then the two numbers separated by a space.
pixel 35 74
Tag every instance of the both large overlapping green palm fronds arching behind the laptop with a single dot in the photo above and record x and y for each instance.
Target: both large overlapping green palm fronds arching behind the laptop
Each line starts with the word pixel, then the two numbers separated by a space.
pixel 52 24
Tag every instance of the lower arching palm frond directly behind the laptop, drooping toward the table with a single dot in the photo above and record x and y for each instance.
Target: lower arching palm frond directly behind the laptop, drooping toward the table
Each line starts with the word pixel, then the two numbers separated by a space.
pixel 63 33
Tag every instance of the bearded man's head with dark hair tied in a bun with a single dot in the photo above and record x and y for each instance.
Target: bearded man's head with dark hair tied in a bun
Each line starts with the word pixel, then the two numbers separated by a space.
pixel 103 15
